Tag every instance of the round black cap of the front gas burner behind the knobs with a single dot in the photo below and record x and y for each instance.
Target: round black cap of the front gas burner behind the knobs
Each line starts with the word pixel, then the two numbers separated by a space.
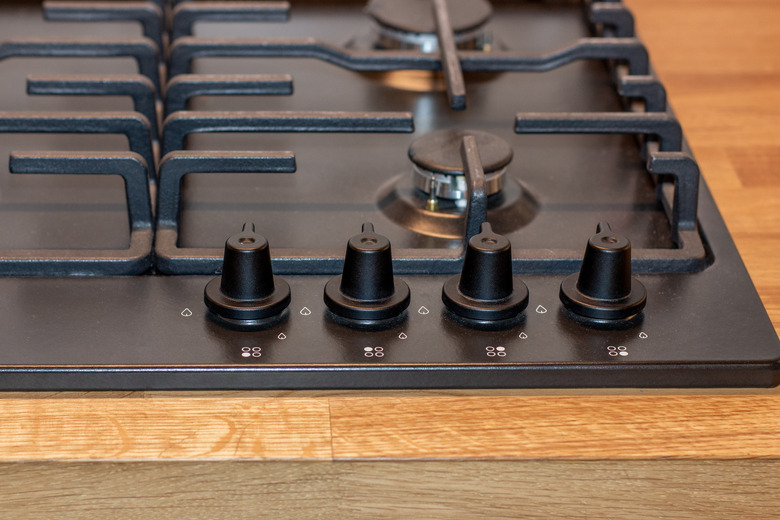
pixel 439 151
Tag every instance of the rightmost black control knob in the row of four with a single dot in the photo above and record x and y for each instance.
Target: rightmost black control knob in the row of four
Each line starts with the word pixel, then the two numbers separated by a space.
pixel 604 288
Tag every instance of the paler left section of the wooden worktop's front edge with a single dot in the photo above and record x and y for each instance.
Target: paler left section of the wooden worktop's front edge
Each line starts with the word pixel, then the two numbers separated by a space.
pixel 127 429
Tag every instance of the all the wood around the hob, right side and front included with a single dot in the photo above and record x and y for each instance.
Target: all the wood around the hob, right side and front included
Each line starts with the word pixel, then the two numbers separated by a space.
pixel 455 454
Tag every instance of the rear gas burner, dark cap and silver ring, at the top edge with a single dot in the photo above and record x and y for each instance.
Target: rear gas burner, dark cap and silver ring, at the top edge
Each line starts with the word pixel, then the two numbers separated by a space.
pixel 411 24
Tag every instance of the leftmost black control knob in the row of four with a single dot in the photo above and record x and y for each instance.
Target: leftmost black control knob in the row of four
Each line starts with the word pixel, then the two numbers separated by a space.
pixel 247 291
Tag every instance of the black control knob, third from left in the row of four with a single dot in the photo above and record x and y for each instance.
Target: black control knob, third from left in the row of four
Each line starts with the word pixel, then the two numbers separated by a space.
pixel 485 289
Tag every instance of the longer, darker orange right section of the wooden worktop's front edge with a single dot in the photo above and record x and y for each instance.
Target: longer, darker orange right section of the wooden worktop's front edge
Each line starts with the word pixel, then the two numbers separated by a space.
pixel 565 427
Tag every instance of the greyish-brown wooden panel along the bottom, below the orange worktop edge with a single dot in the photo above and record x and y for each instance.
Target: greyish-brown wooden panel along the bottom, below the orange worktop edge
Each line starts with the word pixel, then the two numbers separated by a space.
pixel 537 490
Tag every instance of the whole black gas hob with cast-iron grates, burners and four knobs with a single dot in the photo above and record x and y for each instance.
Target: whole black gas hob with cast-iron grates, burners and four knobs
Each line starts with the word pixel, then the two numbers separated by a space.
pixel 406 194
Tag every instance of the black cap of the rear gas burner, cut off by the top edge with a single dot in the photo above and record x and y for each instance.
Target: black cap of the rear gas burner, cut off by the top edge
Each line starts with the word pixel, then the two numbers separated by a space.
pixel 416 16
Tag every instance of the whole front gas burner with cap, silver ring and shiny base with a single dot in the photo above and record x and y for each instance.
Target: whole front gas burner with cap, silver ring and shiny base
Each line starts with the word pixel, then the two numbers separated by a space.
pixel 433 200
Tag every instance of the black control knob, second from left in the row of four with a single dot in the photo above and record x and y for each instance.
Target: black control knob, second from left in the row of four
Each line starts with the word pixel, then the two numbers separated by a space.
pixel 367 289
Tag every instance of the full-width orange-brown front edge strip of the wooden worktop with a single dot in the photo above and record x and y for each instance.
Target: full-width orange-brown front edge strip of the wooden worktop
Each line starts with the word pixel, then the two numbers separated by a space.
pixel 369 428
